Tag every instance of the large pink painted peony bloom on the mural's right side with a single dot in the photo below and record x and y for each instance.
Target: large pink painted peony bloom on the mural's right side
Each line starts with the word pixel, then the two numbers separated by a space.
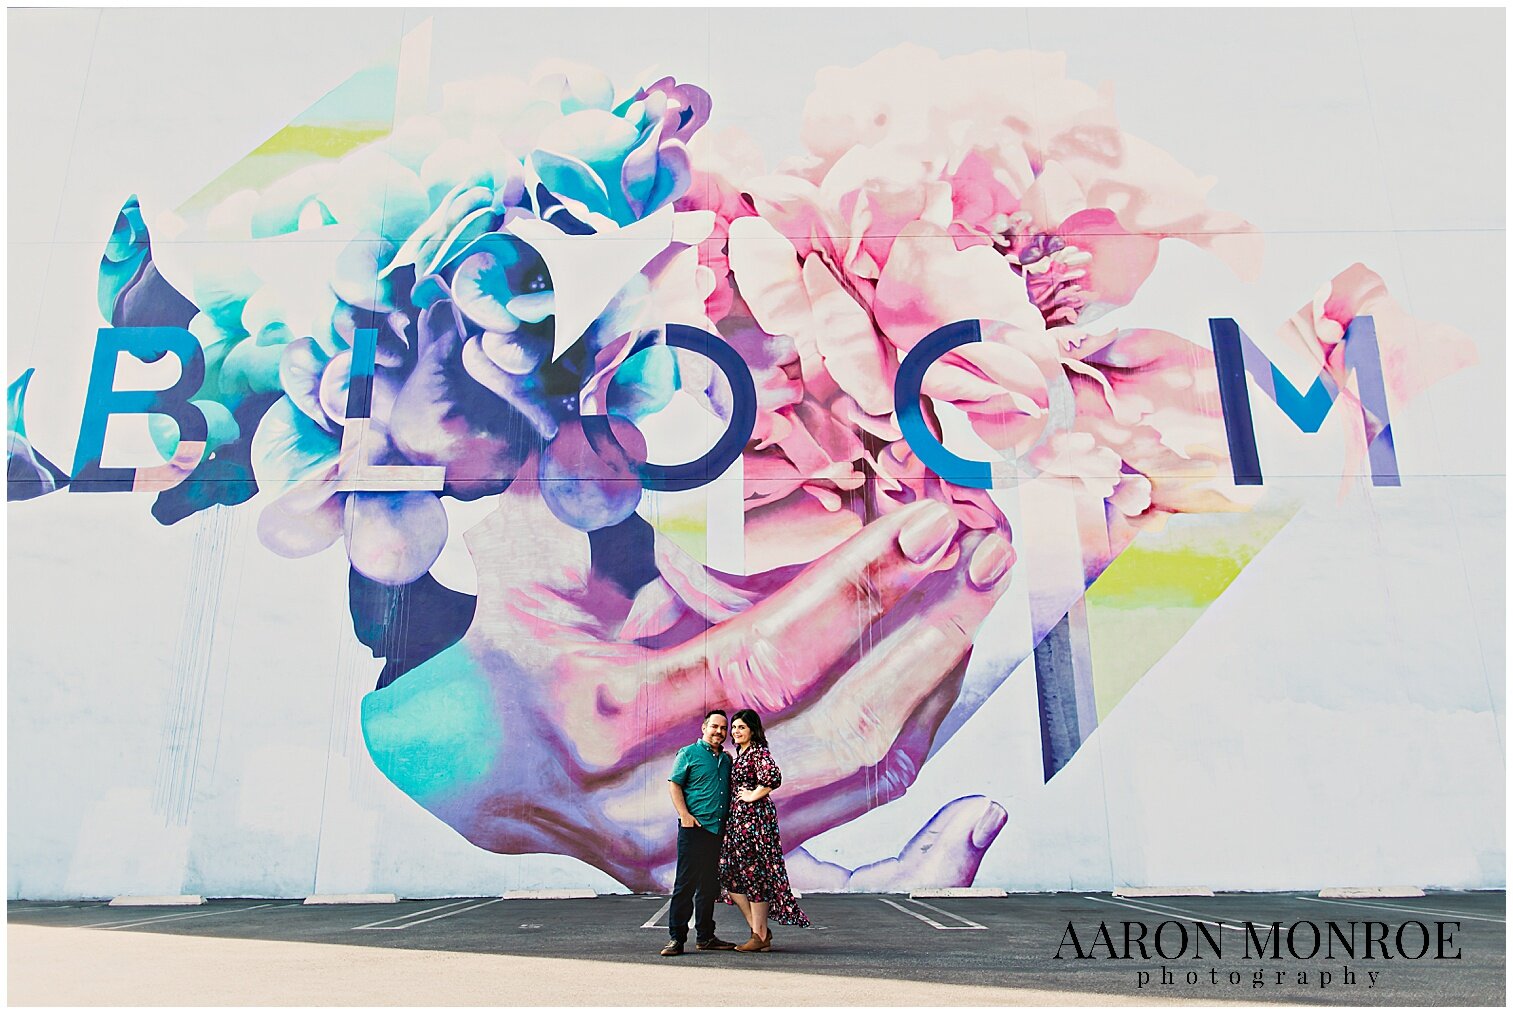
pixel 984 187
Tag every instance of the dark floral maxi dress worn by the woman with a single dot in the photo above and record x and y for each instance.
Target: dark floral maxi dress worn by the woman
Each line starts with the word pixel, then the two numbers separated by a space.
pixel 751 859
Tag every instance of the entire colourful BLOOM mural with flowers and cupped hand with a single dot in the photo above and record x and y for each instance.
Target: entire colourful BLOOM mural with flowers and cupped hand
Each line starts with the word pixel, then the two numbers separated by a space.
pixel 722 437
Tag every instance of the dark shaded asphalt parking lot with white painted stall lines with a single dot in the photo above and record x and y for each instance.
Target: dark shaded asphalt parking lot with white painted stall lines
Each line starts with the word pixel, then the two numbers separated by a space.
pixel 1007 944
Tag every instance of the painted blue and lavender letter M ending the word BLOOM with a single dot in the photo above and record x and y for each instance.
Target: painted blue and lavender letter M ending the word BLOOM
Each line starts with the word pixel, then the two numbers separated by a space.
pixel 1235 355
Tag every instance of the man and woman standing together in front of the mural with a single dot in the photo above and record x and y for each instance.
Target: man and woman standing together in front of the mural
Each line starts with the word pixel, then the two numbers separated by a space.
pixel 729 842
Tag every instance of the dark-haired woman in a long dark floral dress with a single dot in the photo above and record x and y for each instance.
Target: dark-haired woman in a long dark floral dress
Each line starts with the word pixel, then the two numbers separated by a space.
pixel 753 872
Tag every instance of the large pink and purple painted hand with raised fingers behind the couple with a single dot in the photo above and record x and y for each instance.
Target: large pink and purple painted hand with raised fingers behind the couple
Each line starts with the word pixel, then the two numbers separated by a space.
pixel 544 732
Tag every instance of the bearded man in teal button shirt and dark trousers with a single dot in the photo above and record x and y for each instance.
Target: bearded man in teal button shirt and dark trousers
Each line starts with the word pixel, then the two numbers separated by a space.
pixel 701 794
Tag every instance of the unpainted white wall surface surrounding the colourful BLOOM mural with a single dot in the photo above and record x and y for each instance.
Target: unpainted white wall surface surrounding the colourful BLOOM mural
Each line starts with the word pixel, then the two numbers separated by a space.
pixel 184 705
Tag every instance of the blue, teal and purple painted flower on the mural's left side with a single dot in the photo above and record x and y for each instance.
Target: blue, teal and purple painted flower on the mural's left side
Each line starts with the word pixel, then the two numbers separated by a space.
pixel 423 238
